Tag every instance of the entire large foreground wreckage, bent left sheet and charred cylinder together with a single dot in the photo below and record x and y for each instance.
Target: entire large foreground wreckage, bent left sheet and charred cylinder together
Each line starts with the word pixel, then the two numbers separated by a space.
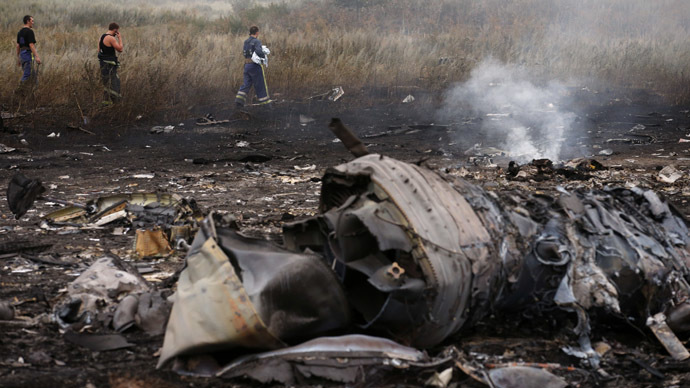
pixel 401 252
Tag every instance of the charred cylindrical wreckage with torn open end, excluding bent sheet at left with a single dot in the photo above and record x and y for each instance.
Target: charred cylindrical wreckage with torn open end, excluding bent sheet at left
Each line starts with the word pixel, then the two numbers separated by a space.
pixel 623 250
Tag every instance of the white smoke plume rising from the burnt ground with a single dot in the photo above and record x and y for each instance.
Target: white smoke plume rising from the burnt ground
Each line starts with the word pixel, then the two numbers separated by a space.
pixel 528 121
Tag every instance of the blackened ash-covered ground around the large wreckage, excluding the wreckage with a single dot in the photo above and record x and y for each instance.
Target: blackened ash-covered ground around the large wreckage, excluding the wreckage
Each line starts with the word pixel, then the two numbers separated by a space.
pixel 205 163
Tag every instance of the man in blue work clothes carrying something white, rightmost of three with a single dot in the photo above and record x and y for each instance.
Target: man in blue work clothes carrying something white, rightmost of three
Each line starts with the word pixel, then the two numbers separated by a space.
pixel 254 74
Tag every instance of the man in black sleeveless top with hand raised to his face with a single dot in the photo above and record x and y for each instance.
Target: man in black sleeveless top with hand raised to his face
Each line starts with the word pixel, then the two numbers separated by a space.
pixel 110 42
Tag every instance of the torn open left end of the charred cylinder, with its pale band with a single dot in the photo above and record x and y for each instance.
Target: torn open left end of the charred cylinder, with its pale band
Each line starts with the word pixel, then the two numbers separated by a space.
pixel 444 244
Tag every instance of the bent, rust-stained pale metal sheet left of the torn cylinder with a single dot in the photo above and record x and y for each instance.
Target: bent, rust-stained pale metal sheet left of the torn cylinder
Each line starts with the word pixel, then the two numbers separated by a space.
pixel 242 292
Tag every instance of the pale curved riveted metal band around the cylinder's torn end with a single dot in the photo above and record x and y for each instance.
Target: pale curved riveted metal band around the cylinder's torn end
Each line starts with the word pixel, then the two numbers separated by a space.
pixel 449 240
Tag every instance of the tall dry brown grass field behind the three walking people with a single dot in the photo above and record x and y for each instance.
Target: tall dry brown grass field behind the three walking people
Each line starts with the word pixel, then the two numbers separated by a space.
pixel 183 53
